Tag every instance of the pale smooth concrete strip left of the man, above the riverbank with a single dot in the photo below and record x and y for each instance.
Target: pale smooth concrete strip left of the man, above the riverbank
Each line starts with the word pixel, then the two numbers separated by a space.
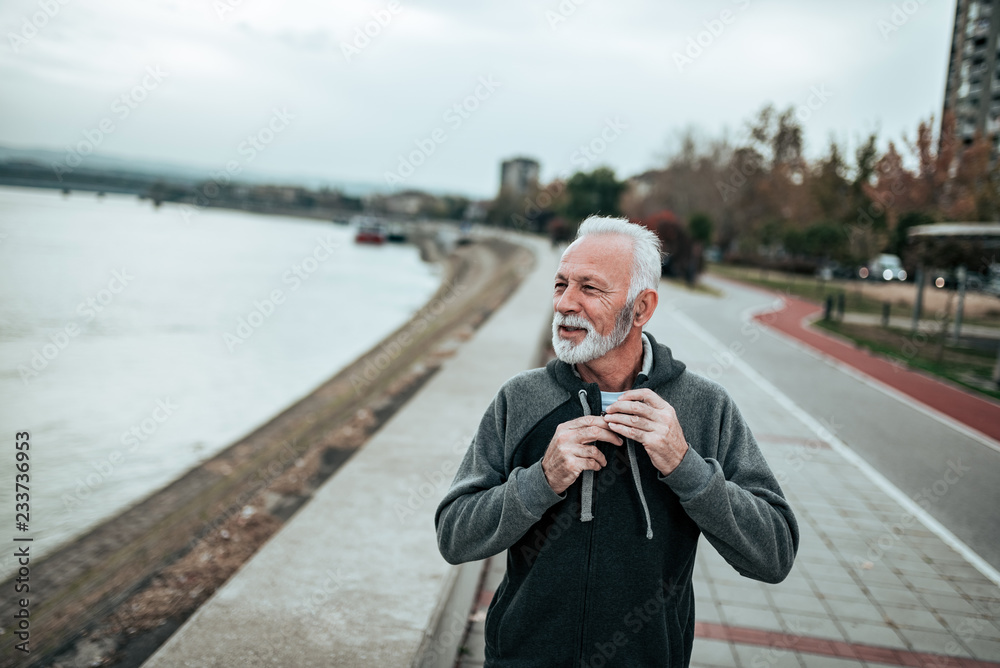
pixel 355 577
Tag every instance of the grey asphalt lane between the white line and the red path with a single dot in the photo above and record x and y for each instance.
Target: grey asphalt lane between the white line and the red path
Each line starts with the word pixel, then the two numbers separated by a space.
pixel 953 476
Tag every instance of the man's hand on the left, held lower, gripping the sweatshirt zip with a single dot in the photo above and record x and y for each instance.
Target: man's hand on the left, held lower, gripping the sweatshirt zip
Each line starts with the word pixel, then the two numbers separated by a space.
pixel 571 452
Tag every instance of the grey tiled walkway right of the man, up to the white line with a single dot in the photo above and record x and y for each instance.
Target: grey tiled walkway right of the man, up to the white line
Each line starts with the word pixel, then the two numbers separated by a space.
pixel 872 584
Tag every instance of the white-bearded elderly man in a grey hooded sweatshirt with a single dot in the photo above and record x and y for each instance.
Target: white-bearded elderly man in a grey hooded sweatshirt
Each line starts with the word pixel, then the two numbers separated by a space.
pixel 598 472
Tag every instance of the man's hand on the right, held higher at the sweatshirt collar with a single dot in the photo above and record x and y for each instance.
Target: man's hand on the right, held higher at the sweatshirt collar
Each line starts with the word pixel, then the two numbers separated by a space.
pixel 646 418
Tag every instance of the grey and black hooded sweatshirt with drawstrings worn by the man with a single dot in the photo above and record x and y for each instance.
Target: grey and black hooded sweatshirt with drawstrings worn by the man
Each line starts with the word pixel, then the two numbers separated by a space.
pixel 601 574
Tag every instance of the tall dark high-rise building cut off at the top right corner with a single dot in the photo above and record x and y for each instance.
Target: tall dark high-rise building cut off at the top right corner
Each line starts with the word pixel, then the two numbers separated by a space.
pixel 972 91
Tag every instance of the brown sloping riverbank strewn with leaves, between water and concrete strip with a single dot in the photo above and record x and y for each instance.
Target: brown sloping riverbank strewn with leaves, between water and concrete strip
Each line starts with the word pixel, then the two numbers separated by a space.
pixel 116 593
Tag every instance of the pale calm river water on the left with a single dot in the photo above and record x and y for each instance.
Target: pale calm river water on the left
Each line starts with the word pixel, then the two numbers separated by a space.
pixel 137 342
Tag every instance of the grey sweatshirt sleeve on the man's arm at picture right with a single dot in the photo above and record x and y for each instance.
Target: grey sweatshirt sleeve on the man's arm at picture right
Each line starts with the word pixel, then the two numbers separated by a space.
pixel 737 503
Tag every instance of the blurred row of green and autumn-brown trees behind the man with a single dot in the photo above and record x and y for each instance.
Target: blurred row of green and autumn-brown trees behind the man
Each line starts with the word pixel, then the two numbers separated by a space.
pixel 761 199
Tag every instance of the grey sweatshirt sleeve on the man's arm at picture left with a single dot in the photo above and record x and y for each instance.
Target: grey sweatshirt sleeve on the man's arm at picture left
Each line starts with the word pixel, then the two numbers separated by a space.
pixel 487 509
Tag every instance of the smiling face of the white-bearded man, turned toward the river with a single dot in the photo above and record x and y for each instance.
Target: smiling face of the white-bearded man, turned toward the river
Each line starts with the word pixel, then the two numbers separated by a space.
pixel 591 288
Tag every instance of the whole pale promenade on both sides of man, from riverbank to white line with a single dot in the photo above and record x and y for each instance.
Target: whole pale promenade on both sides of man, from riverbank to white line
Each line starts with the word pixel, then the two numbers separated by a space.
pixel 355 578
